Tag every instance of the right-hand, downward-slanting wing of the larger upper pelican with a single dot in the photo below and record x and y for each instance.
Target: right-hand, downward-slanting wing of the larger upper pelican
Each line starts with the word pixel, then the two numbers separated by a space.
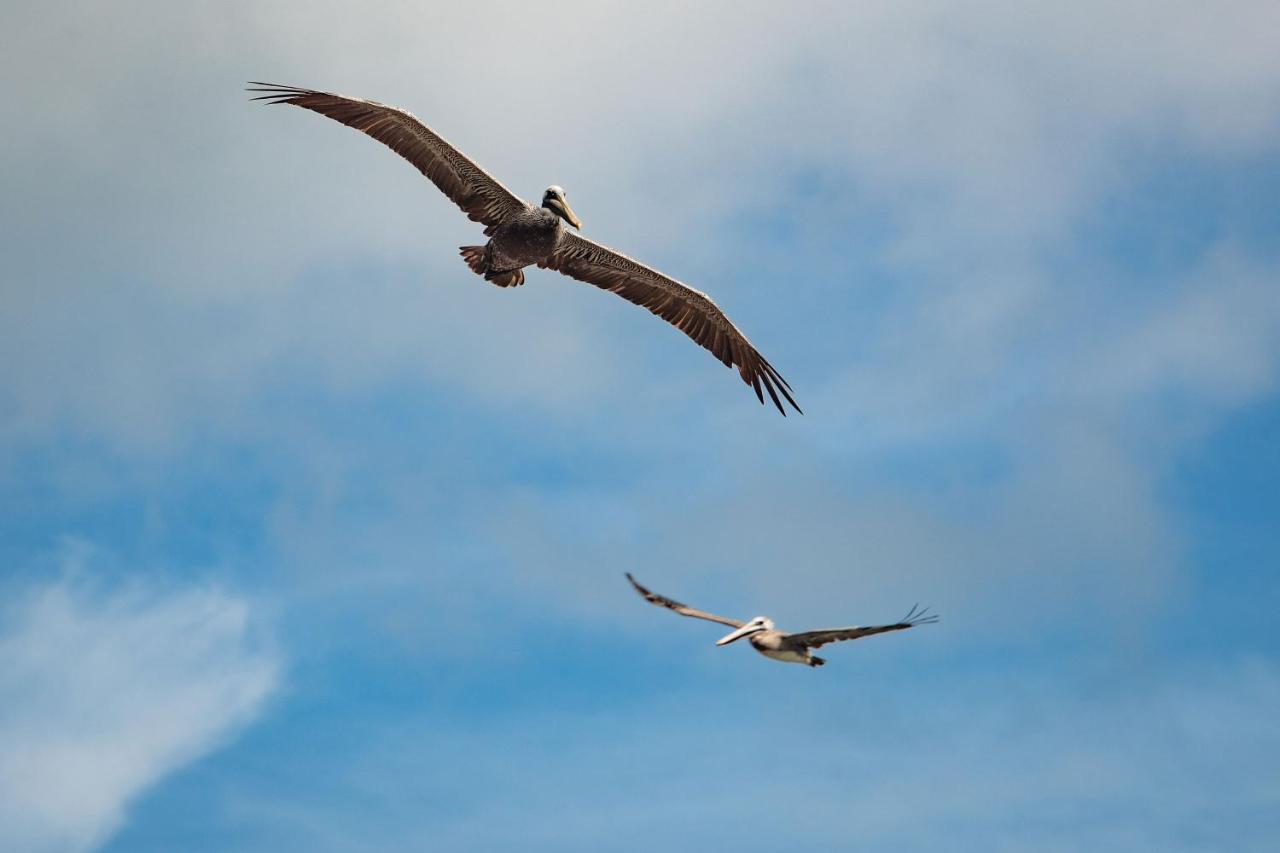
pixel 689 311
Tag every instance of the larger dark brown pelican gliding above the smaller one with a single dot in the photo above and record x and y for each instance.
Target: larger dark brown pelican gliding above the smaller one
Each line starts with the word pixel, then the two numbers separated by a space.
pixel 522 235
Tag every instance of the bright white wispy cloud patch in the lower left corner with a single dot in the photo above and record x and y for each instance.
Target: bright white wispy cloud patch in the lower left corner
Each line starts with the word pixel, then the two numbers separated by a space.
pixel 107 691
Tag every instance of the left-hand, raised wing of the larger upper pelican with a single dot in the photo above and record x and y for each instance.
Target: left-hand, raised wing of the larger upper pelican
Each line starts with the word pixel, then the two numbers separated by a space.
pixel 473 189
